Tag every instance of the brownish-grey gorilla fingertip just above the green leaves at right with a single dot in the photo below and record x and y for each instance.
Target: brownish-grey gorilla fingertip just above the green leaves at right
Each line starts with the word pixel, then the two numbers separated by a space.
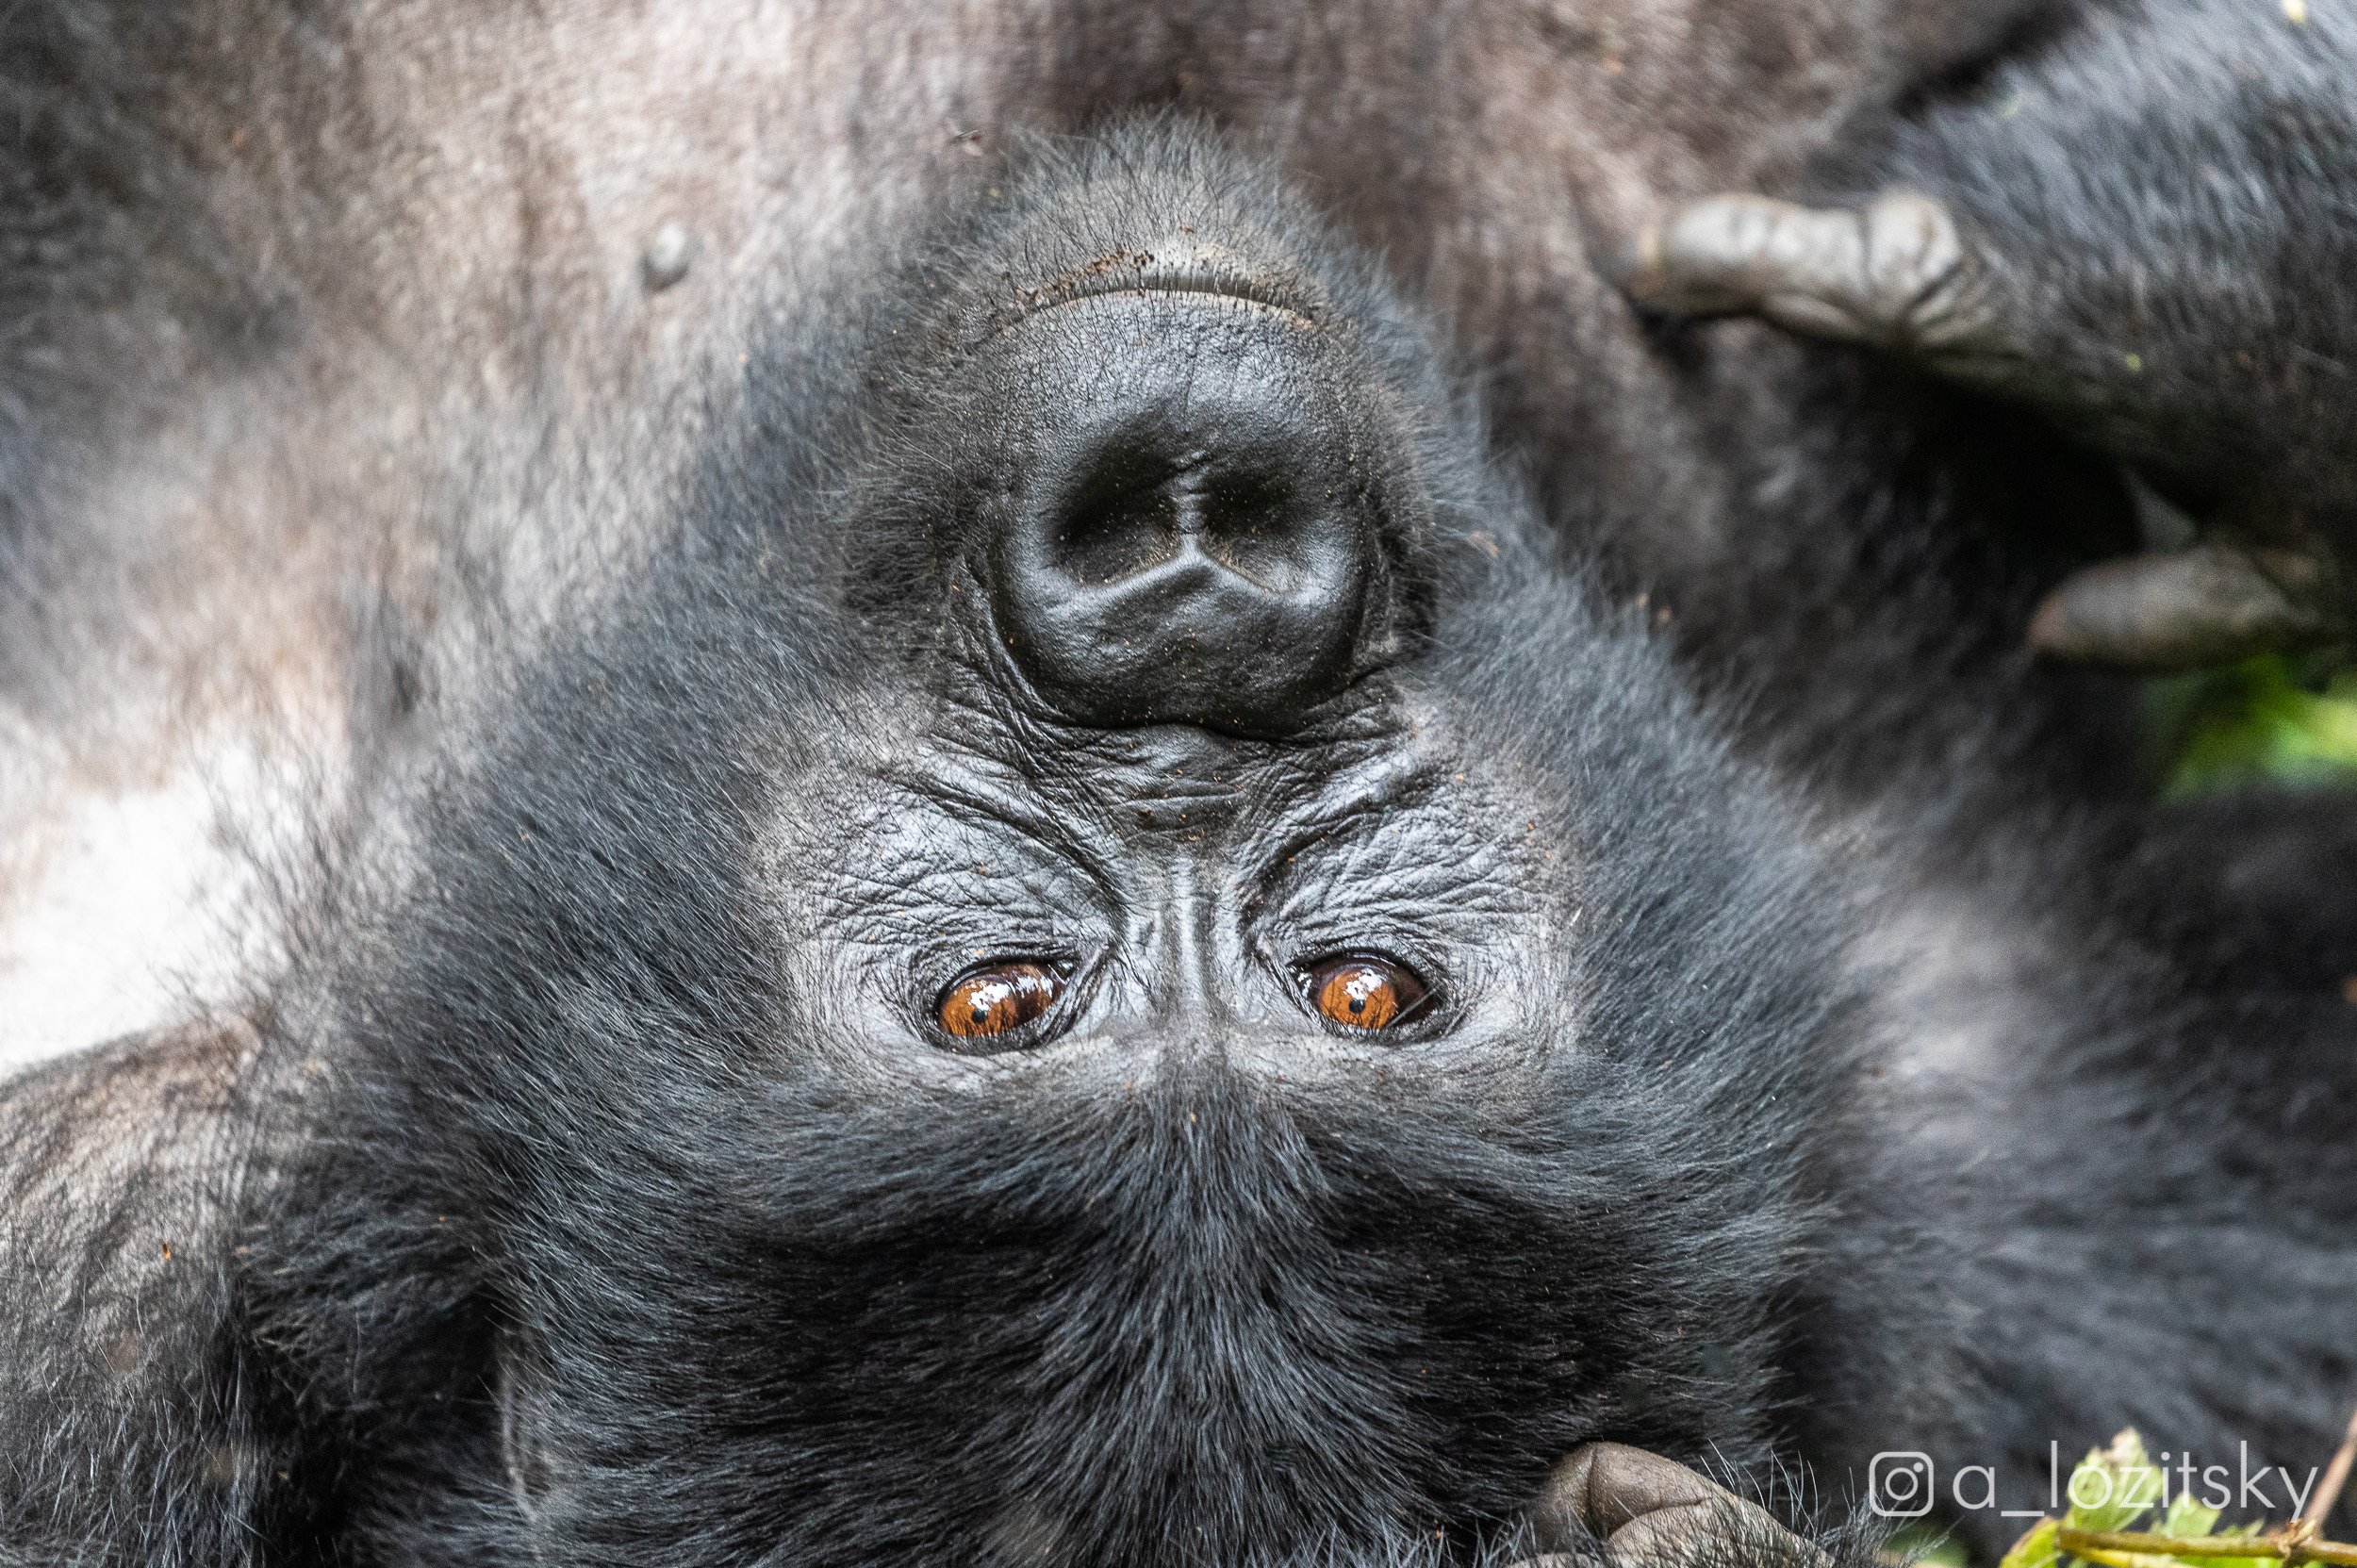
pixel 2179 612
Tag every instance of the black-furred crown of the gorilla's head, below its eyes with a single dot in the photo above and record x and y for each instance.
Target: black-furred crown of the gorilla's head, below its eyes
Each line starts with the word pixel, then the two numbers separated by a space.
pixel 1189 1317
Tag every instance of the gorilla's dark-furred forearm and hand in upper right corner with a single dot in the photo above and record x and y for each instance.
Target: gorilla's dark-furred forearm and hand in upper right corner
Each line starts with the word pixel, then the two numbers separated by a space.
pixel 2148 232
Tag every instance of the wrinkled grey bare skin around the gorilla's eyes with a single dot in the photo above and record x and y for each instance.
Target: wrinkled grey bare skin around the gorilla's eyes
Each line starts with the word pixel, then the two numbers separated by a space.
pixel 1182 888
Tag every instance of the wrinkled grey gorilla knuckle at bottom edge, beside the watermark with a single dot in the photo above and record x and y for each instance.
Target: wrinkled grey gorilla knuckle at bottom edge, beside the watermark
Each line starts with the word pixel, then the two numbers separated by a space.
pixel 1649 1513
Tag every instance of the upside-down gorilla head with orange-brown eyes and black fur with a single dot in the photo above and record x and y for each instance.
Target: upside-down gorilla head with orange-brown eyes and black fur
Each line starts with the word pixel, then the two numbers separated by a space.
pixel 1109 966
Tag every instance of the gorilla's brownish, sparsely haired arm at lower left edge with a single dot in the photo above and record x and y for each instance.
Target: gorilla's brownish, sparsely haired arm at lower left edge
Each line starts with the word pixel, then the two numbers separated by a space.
pixel 124 1416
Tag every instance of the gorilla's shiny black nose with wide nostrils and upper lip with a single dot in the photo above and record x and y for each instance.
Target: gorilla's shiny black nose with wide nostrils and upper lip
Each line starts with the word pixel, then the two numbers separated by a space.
pixel 1199 536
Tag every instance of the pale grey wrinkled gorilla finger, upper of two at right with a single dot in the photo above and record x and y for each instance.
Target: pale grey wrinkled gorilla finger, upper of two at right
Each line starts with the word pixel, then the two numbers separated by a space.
pixel 1894 275
